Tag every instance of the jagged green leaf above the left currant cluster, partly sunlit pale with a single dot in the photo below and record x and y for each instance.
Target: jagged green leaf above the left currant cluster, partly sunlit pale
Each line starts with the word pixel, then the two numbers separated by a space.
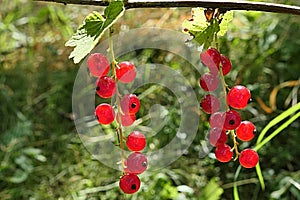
pixel 89 33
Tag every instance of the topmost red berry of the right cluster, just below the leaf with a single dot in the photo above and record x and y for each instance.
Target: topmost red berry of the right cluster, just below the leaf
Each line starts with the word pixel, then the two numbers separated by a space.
pixel 211 58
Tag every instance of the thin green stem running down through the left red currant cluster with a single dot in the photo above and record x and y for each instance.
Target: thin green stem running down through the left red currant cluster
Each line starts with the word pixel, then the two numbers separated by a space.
pixel 118 96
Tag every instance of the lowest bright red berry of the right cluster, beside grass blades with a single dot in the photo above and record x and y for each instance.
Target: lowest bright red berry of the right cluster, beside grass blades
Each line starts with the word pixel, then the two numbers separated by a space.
pixel 248 158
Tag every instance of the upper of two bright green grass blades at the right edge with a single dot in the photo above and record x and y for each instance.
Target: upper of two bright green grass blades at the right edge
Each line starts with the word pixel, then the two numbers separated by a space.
pixel 276 120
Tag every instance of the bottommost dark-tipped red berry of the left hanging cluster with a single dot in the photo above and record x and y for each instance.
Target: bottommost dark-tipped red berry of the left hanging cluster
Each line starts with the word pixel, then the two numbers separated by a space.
pixel 130 183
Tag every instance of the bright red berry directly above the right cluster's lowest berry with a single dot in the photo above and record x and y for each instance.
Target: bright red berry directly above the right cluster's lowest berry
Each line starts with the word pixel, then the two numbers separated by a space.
pixel 245 131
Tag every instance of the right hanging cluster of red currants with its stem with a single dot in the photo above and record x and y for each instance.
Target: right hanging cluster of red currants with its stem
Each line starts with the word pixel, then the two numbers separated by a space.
pixel 229 122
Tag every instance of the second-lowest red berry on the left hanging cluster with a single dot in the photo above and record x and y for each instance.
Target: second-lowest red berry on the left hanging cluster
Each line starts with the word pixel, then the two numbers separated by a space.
pixel 137 163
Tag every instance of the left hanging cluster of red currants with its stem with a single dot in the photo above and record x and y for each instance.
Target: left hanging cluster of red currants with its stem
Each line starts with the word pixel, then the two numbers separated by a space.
pixel 124 112
